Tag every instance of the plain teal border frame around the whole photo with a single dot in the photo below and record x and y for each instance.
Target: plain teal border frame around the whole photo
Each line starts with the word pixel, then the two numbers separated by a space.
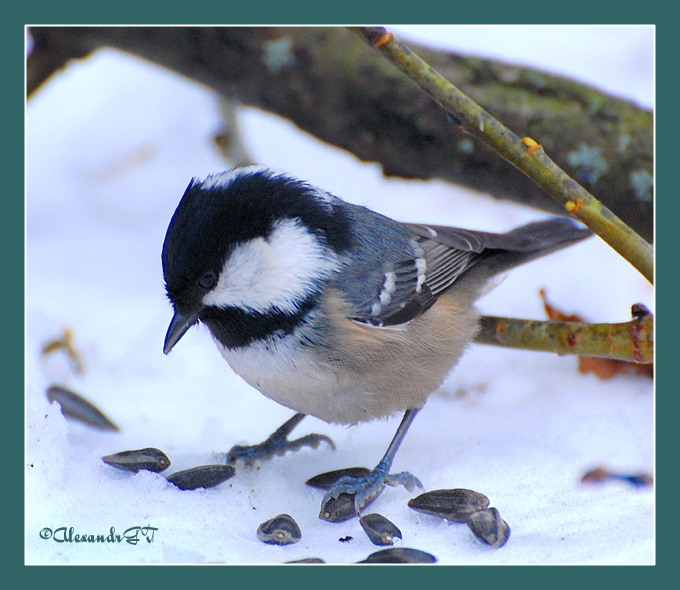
pixel 348 12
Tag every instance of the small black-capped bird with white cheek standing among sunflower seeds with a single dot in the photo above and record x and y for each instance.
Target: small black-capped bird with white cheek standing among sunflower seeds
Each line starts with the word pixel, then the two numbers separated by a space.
pixel 330 308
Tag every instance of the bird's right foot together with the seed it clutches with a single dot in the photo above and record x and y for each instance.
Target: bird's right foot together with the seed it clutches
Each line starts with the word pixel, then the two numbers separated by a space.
pixel 362 490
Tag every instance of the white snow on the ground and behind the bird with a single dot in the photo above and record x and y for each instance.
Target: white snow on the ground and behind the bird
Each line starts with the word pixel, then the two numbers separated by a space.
pixel 111 144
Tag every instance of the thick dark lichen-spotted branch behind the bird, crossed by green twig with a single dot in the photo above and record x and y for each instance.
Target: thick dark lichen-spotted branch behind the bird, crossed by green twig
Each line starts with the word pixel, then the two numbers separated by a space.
pixel 332 85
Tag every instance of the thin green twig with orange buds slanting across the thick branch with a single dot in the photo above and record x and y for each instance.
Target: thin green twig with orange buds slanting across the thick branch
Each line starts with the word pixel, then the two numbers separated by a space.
pixel 525 154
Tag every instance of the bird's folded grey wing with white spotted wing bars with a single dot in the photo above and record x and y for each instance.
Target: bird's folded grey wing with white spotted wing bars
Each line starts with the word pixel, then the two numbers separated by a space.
pixel 401 291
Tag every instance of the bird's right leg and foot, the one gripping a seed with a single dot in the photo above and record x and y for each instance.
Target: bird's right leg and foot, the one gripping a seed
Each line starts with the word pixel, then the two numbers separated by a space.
pixel 367 488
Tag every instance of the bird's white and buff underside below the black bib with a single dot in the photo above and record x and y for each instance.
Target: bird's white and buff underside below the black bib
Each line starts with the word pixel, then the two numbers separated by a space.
pixel 362 373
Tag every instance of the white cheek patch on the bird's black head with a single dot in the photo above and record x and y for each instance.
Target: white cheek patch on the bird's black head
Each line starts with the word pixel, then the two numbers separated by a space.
pixel 276 273
